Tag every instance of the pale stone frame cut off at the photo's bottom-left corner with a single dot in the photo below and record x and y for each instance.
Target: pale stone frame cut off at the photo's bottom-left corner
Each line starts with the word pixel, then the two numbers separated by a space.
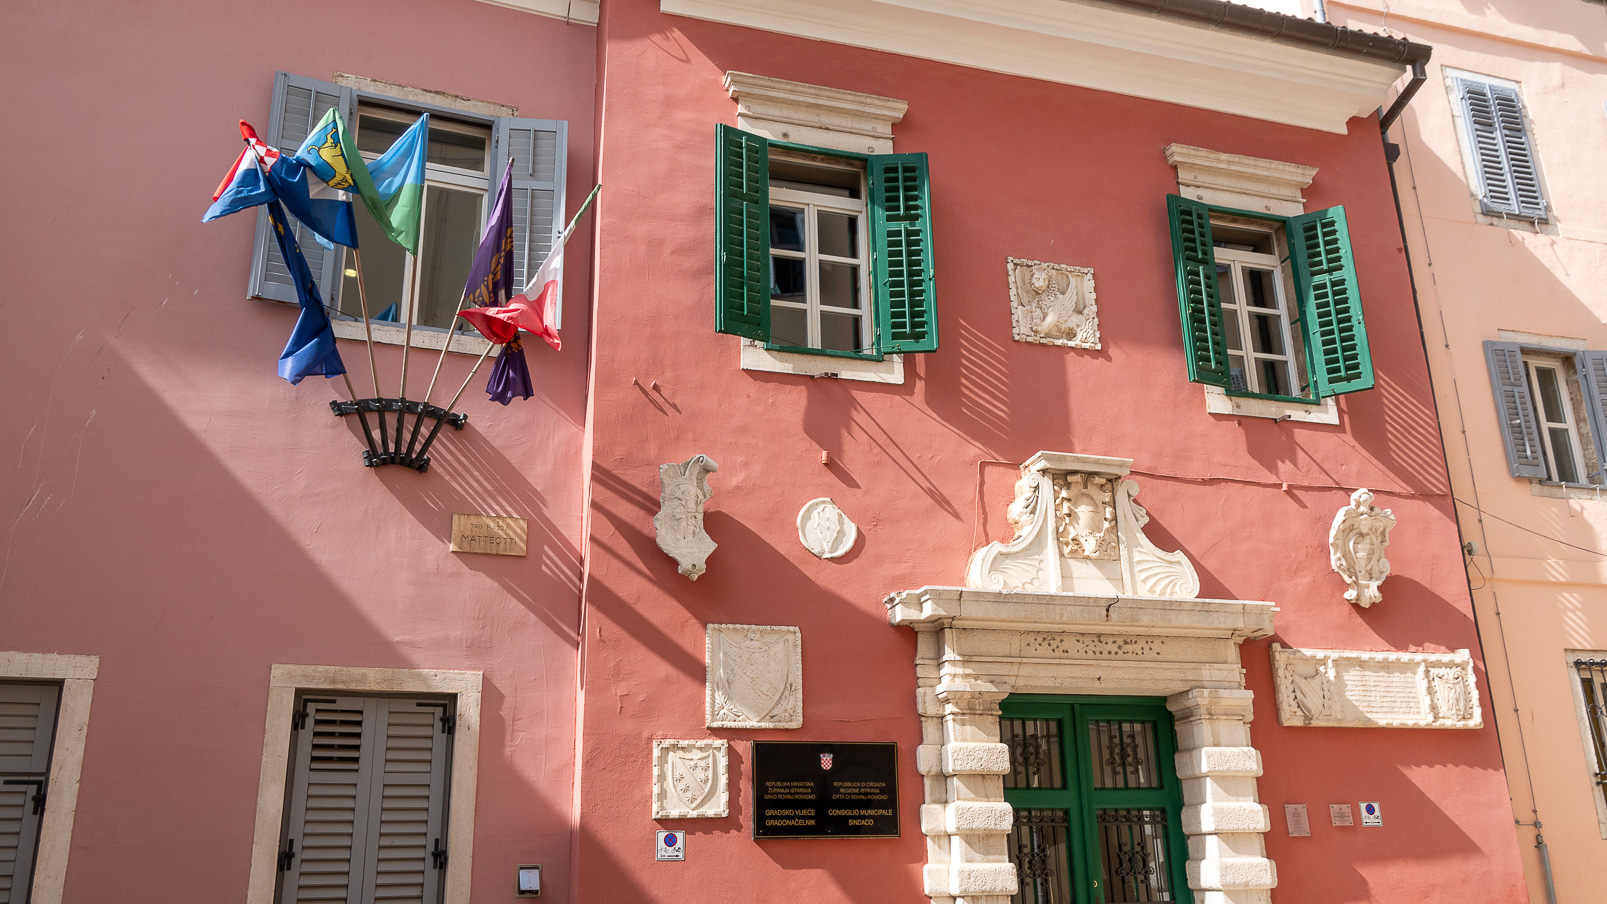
pixel 76 675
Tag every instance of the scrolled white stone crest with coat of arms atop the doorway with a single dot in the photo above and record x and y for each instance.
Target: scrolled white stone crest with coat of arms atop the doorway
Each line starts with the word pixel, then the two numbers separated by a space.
pixel 1079 531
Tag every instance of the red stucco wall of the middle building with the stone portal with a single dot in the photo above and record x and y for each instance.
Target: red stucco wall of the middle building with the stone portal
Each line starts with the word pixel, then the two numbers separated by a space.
pixel 1024 169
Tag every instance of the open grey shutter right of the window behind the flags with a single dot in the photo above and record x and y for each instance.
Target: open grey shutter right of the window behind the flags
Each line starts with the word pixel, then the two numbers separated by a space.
pixel 539 165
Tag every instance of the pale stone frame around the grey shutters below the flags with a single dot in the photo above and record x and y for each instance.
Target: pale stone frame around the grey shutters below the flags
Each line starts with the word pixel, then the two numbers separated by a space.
pixel 284 685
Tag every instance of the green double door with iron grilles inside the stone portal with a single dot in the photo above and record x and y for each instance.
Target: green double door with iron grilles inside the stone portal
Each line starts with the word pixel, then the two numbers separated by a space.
pixel 1098 805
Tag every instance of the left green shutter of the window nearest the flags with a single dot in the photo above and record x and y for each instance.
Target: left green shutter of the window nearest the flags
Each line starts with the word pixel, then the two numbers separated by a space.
pixel 742 234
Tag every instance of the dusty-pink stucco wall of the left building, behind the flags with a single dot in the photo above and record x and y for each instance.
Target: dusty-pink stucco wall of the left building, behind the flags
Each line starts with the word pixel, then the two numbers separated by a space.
pixel 176 508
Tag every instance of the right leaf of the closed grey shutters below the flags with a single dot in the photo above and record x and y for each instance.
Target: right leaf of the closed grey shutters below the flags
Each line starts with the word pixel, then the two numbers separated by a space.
pixel 407 807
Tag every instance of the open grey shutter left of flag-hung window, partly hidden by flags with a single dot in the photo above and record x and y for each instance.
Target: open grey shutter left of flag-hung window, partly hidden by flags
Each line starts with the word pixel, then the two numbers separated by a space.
pixel 298 105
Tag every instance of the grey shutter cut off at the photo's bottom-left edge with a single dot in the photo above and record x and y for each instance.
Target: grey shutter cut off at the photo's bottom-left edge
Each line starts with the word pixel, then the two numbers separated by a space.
pixel 28 722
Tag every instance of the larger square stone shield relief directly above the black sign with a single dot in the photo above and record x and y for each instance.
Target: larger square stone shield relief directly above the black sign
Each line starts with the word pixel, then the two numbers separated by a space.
pixel 756 678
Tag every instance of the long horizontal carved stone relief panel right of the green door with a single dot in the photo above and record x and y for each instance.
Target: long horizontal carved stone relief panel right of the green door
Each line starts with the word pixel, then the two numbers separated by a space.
pixel 1357 690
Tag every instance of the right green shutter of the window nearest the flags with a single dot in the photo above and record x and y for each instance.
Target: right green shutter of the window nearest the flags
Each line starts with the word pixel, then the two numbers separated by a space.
pixel 902 255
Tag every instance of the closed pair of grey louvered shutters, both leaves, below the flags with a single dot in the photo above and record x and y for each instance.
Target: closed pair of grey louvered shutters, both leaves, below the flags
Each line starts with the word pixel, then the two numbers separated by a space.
pixel 367 807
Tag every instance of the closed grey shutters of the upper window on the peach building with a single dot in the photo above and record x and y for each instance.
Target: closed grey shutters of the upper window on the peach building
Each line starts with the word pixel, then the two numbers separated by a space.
pixel 1508 177
